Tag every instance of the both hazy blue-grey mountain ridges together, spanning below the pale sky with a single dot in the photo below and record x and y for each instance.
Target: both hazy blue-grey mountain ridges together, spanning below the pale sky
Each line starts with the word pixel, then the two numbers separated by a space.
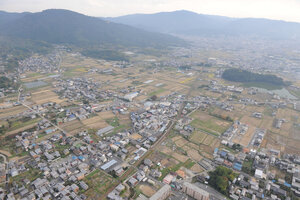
pixel 139 30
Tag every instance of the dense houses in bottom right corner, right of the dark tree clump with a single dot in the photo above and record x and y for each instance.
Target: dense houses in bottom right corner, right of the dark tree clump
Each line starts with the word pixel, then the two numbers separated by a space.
pixel 259 182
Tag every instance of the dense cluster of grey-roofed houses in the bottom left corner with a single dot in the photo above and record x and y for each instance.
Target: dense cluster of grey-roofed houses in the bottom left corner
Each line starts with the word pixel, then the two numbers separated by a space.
pixel 60 164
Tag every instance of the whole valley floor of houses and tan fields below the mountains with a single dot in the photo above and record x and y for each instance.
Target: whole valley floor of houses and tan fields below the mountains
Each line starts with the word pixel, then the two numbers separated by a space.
pixel 214 119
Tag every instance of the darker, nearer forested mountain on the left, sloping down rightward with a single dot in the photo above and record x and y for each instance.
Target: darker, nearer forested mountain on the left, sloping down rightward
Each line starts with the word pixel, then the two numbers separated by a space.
pixel 63 26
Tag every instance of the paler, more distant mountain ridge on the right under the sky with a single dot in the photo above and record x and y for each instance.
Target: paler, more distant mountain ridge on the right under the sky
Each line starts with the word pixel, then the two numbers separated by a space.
pixel 190 23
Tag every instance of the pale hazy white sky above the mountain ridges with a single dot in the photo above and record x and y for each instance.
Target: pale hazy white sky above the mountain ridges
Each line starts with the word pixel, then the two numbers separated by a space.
pixel 273 9
